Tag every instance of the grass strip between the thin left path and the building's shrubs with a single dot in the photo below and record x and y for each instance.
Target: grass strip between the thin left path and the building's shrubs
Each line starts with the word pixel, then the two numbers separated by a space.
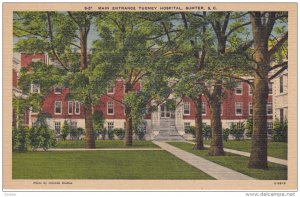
pixel 105 144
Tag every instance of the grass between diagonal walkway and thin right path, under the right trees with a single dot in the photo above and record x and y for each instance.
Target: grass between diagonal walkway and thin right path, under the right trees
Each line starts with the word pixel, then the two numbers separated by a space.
pixel 238 163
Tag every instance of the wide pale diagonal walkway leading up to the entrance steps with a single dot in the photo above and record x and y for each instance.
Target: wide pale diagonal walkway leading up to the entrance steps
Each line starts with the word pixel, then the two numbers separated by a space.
pixel 217 171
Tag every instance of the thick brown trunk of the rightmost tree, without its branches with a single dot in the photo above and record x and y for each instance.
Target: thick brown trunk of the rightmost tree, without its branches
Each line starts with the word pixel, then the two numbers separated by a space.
pixel 258 156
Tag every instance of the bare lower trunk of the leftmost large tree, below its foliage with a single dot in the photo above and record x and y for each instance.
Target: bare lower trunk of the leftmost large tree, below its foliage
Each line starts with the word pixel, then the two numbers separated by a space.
pixel 89 136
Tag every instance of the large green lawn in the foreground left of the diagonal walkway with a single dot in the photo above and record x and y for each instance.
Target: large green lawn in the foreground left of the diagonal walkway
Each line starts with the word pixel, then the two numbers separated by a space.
pixel 102 165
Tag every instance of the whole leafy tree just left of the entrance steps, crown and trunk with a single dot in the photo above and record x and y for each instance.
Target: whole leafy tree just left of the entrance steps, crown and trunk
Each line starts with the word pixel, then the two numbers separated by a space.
pixel 132 38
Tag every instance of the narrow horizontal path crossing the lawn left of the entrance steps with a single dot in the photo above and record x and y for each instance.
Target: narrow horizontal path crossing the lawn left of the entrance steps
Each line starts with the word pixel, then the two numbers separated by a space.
pixel 96 149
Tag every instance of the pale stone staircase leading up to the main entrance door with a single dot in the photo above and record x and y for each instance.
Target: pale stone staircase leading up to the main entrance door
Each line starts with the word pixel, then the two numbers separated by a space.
pixel 168 131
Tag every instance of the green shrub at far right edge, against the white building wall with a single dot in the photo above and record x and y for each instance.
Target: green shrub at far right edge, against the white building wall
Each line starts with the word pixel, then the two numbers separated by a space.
pixel 280 131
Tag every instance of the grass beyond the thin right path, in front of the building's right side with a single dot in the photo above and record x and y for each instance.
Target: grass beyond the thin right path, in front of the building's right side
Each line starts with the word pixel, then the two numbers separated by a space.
pixel 275 149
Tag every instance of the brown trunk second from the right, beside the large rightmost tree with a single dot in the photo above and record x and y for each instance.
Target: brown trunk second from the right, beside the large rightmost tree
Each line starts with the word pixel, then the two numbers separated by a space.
pixel 216 144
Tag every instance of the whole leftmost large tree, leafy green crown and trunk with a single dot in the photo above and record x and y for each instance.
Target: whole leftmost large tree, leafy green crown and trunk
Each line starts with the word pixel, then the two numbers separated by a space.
pixel 64 36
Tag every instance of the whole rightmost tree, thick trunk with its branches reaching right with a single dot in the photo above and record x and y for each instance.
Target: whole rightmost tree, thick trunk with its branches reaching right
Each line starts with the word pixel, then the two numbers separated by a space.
pixel 265 48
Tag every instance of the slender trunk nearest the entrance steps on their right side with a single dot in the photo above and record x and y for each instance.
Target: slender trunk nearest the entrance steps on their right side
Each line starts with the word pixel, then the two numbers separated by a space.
pixel 199 134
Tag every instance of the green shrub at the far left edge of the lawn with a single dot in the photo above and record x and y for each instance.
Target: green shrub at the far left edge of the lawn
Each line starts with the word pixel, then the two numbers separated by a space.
pixel 21 141
